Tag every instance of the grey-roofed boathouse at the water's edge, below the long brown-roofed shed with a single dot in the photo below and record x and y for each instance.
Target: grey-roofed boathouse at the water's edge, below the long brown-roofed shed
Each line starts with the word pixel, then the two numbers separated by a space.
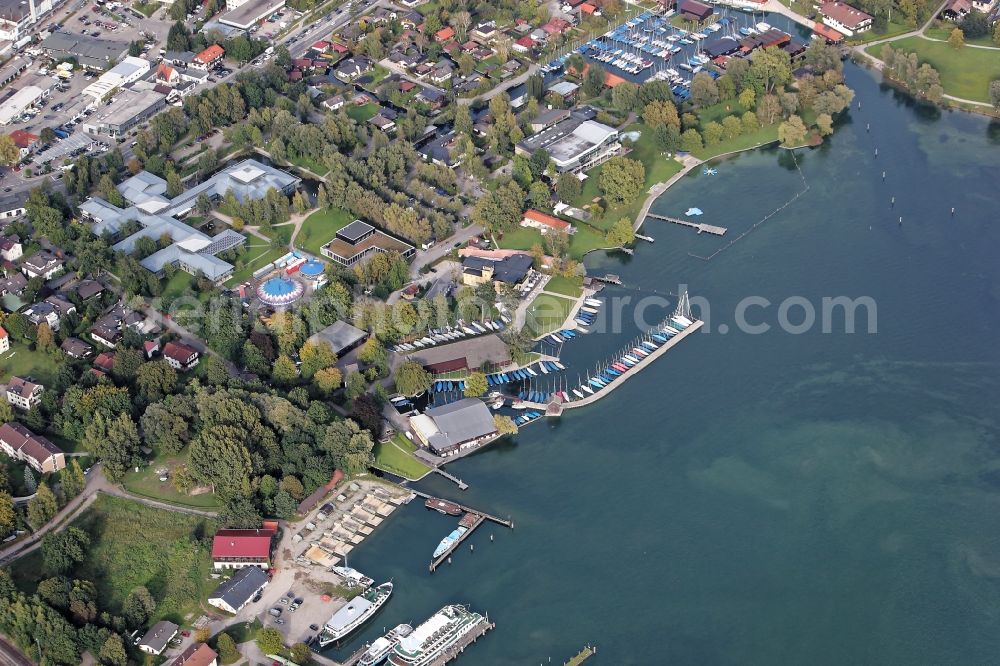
pixel 450 428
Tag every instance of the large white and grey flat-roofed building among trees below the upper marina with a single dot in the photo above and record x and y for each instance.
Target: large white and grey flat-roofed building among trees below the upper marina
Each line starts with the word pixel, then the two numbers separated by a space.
pixel 574 144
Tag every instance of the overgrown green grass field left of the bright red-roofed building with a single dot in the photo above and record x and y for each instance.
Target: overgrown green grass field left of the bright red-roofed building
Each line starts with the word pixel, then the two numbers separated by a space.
pixel 133 545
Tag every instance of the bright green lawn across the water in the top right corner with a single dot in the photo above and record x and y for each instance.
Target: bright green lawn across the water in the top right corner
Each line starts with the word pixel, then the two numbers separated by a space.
pixel 965 73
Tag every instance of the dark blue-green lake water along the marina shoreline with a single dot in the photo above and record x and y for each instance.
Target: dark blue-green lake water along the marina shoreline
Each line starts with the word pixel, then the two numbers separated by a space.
pixel 775 498
